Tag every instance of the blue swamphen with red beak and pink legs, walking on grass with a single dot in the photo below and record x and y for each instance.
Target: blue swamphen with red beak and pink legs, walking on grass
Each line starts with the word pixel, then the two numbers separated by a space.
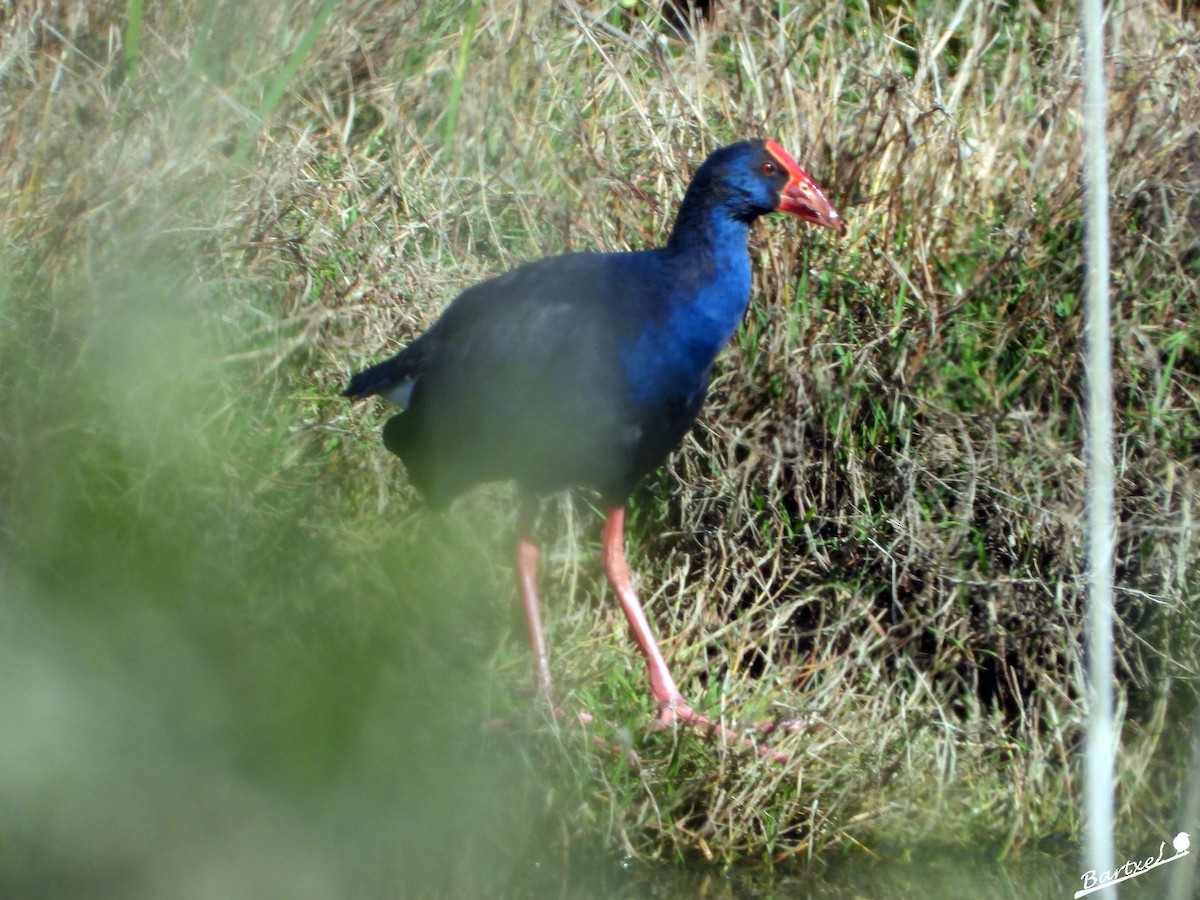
pixel 585 370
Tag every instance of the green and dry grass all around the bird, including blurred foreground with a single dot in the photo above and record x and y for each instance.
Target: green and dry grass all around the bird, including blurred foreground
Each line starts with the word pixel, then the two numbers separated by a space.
pixel 231 626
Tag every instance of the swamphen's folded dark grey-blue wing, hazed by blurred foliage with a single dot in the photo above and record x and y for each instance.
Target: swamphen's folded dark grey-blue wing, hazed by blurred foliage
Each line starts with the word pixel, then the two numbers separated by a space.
pixel 523 380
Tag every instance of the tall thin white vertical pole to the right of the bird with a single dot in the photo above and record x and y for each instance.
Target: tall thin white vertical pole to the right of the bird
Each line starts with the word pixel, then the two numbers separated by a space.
pixel 1101 735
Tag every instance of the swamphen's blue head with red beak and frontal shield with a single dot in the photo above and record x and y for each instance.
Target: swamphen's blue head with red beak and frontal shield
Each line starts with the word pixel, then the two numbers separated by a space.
pixel 759 177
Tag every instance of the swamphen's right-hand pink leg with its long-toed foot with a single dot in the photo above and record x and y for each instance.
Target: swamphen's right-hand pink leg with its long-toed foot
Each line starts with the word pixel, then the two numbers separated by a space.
pixel 673 706
